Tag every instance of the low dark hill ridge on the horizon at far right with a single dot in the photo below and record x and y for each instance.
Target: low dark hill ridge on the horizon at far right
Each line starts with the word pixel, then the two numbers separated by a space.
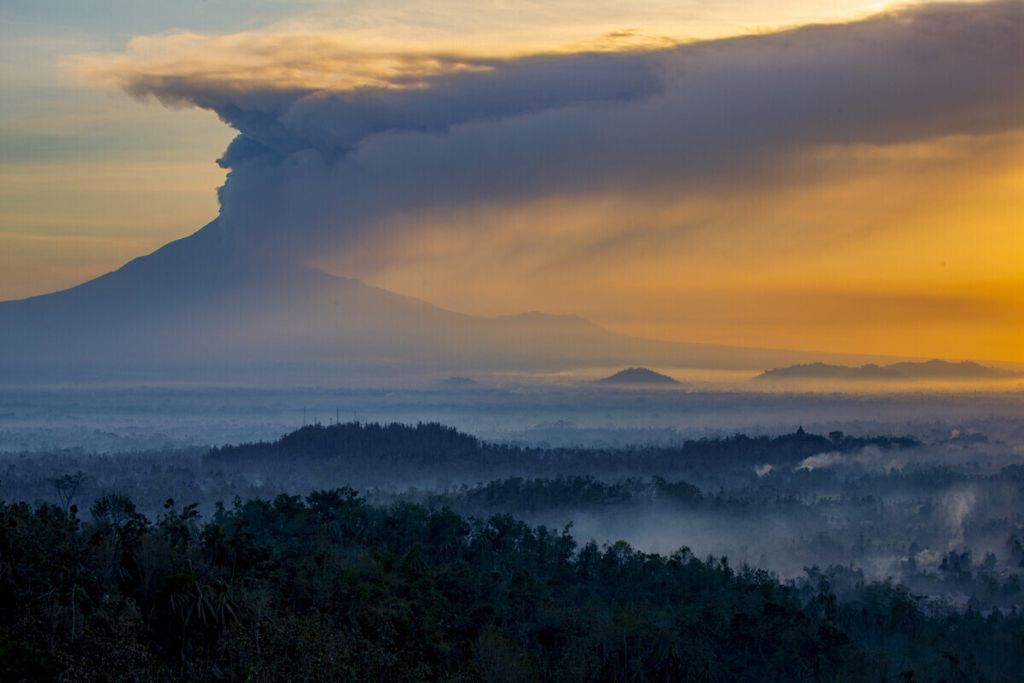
pixel 931 370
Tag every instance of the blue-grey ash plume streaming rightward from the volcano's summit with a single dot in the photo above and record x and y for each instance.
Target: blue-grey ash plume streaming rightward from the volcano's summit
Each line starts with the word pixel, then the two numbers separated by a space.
pixel 320 166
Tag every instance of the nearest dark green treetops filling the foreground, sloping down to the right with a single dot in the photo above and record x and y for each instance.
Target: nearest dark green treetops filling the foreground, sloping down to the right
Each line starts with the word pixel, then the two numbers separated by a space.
pixel 328 588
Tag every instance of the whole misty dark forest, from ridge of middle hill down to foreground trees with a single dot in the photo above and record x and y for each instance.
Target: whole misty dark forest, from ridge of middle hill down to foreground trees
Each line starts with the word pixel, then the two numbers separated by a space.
pixel 424 553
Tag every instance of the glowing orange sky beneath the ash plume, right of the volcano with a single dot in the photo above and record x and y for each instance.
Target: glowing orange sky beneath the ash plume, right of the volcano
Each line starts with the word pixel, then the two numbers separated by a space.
pixel 912 250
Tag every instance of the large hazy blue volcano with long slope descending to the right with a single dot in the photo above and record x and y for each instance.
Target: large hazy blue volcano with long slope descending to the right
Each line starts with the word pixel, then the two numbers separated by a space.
pixel 195 311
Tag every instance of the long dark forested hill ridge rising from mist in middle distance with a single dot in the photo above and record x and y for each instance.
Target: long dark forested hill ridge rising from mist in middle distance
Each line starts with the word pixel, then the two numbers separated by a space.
pixel 434 446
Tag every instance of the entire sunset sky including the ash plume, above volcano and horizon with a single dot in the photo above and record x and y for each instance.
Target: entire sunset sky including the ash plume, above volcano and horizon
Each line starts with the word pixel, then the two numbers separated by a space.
pixel 841 177
